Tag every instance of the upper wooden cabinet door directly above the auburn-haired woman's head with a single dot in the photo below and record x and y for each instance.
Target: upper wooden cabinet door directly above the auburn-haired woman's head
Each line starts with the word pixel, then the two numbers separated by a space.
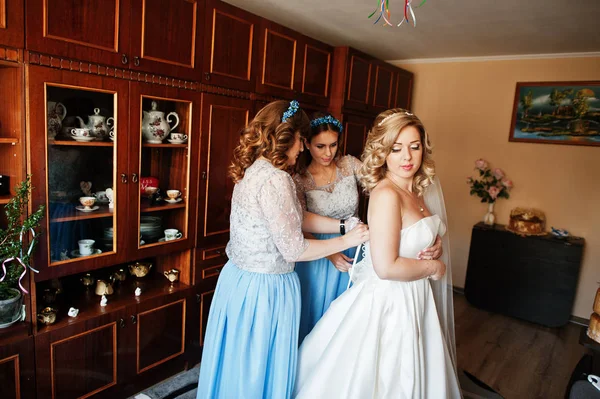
pixel 280 59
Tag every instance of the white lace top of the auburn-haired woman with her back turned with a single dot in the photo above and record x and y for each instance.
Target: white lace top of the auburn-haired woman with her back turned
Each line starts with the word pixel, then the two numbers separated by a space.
pixel 266 221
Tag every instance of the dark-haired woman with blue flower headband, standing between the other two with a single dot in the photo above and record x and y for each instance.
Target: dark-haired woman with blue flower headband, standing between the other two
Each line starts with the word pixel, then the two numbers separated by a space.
pixel 326 184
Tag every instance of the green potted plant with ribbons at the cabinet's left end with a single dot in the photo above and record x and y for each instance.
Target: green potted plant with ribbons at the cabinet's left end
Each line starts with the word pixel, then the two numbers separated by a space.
pixel 14 258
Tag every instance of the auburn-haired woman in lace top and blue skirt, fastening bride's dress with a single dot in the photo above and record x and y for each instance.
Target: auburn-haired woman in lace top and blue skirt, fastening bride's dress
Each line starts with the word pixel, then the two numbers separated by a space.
pixel 251 341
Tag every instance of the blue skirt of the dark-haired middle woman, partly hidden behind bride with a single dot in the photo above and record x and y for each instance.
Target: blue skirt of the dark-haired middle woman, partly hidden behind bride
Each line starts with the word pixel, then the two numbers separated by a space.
pixel 321 283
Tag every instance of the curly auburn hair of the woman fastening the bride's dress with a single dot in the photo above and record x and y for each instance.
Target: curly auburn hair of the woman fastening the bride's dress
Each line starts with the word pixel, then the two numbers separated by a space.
pixel 267 136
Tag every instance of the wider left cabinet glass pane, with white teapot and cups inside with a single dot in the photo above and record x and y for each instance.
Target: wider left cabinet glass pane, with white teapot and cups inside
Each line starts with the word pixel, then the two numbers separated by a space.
pixel 81 172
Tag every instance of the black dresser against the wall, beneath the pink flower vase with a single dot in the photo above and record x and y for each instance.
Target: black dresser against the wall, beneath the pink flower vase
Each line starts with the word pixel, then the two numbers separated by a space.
pixel 532 278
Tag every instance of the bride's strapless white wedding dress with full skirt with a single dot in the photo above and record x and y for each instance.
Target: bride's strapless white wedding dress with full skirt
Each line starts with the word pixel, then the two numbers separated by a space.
pixel 381 338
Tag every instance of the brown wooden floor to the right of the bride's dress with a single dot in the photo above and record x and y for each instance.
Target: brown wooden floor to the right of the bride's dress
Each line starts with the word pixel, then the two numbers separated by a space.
pixel 520 360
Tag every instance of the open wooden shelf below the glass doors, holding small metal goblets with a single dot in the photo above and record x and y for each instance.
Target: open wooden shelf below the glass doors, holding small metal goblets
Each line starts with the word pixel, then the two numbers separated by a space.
pixel 152 286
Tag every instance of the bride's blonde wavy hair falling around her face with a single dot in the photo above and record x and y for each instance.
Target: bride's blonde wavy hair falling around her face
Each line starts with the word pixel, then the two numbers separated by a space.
pixel 381 138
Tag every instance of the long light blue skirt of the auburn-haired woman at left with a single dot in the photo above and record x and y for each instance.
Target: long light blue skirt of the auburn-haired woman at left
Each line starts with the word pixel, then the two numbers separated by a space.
pixel 251 341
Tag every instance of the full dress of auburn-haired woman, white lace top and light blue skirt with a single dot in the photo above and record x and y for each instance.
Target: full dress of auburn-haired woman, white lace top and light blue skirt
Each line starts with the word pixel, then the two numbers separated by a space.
pixel 251 342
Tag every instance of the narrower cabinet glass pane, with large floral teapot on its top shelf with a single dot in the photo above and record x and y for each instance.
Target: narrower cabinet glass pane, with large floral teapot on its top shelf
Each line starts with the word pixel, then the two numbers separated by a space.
pixel 164 170
